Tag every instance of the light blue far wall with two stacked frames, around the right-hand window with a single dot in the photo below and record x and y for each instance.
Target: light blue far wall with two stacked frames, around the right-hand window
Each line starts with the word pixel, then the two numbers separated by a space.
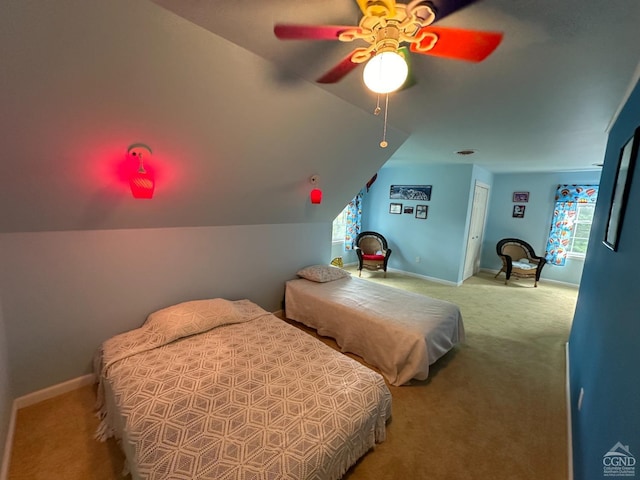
pixel 534 227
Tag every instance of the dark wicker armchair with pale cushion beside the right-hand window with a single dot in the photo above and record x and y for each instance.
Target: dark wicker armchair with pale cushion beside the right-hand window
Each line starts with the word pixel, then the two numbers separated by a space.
pixel 519 260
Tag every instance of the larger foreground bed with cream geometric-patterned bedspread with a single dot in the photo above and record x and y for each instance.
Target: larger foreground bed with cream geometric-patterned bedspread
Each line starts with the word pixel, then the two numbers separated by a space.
pixel 219 389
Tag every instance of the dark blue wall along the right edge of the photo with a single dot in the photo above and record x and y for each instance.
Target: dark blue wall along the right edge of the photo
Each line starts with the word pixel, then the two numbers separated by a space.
pixel 603 345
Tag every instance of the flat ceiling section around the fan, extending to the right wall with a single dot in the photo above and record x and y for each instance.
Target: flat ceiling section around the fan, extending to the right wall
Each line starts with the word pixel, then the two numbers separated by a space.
pixel 541 102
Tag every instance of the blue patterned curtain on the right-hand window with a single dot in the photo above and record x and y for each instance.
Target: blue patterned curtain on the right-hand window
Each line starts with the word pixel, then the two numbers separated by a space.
pixel 567 199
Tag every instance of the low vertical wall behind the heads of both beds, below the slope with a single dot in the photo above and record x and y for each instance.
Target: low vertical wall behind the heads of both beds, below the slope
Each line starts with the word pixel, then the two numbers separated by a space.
pixel 64 293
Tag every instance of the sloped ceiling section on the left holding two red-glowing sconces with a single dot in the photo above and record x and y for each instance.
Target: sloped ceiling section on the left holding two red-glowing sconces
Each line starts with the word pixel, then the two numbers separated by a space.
pixel 83 80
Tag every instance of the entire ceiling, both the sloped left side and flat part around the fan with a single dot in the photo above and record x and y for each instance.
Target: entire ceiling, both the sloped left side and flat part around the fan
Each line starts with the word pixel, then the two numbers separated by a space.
pixel 238 125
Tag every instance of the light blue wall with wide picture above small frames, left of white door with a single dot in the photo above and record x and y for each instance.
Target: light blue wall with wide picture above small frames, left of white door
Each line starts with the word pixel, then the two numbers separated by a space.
pixel 440 240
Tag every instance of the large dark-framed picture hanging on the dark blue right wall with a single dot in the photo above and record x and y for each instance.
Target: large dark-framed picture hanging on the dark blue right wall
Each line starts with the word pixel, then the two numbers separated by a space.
pixel 624 173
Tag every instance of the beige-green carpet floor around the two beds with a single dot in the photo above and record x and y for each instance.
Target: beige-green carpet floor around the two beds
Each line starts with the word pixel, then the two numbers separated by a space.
pixel 492 408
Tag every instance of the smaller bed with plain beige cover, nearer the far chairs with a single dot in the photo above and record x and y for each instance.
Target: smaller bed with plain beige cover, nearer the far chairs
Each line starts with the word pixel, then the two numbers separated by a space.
pixel 399 332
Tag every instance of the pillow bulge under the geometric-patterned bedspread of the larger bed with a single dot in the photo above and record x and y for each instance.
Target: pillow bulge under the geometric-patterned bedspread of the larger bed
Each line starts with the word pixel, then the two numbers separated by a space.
pixel 189 318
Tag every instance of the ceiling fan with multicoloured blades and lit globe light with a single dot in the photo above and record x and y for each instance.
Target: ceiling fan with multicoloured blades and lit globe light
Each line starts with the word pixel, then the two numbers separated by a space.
pixel 387 26
